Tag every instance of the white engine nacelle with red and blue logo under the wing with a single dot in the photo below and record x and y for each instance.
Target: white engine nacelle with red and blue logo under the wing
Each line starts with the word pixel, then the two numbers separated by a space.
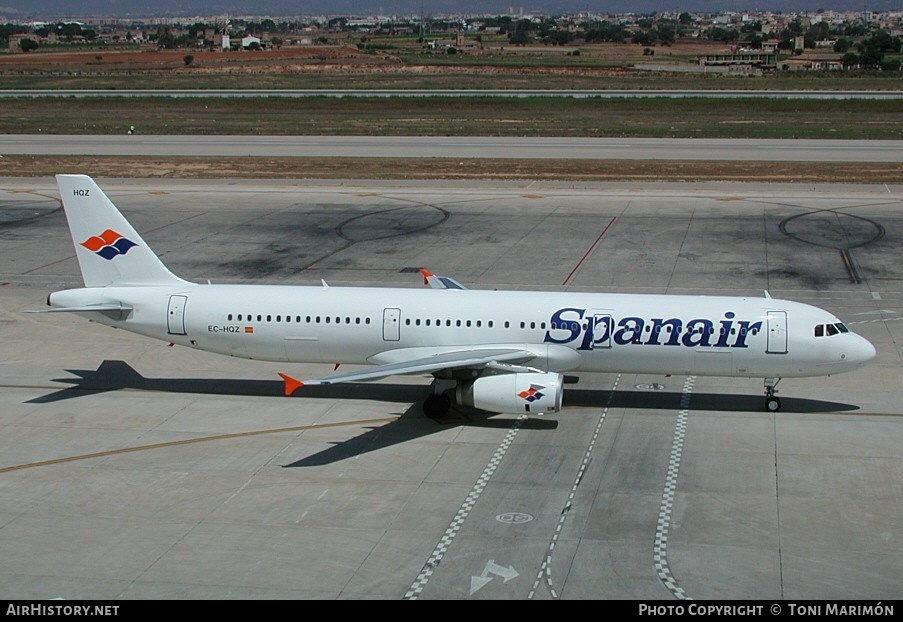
pixel 533 393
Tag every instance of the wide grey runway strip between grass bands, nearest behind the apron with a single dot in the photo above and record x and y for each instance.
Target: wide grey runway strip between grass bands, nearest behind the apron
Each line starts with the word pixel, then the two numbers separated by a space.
pixel 422 147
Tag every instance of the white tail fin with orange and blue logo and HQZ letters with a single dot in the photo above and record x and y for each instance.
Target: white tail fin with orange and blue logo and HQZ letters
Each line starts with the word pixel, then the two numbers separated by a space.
pixel 109 250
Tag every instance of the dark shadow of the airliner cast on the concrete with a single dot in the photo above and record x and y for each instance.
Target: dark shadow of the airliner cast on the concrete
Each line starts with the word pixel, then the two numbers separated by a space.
pixel 412 424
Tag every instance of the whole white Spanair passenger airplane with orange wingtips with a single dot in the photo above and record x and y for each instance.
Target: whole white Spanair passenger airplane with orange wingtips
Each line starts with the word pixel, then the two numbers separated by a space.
pixel 499 351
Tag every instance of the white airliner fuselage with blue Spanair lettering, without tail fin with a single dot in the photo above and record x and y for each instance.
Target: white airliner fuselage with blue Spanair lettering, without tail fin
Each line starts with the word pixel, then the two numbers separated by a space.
pixel 656 334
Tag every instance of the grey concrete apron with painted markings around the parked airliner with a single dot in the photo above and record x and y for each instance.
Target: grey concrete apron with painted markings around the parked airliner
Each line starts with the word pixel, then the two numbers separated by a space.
pixel 134 470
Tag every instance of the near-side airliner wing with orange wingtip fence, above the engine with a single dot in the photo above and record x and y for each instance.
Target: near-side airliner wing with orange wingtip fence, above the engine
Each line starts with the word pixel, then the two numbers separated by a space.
pixel 459 359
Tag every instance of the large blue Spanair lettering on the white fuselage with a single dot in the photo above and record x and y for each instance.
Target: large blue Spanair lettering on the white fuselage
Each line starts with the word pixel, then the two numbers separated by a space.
pixel 573 326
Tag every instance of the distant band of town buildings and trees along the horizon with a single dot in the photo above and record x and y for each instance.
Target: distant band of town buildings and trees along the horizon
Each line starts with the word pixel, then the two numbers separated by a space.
pixel 753 39
